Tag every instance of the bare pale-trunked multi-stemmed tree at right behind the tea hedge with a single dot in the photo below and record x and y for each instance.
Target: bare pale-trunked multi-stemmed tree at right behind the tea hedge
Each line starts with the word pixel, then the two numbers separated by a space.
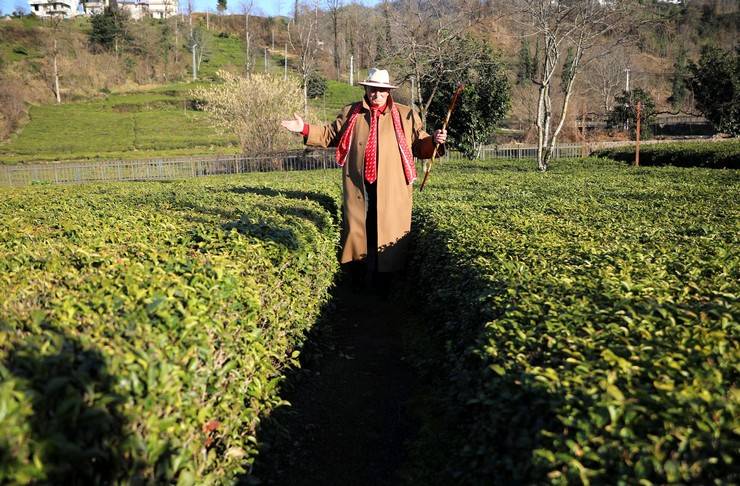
pixel 579 27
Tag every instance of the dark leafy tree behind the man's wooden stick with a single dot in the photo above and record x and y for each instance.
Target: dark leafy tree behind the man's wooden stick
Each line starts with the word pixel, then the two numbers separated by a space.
pixel 484 101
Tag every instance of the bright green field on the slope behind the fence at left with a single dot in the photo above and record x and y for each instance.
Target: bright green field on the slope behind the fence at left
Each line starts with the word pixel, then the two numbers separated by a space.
pixel 136 125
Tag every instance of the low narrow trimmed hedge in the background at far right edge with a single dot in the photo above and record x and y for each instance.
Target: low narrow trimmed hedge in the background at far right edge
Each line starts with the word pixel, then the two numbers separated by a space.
pixel 716 155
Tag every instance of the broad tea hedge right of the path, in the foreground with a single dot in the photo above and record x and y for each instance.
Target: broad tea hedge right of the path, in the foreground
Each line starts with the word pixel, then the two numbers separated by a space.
pixel 588 318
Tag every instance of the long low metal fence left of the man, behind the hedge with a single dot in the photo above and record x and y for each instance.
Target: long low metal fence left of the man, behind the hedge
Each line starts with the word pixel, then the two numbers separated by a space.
pixel 161 169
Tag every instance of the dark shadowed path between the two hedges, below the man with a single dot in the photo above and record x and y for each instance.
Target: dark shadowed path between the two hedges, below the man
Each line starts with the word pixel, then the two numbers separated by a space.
pixel 352 400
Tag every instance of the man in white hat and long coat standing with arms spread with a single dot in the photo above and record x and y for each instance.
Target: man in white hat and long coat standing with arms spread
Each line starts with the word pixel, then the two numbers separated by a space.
pixel 376 142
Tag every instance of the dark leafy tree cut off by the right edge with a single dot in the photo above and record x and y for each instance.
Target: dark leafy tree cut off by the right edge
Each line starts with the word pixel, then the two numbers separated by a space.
pixel 716 85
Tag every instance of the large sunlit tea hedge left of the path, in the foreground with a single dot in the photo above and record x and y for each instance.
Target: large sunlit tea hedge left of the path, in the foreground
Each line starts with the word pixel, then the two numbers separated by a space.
pixel 144 327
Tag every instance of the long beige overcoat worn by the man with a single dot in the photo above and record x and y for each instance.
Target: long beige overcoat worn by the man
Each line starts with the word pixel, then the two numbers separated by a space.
pixel 394 195
